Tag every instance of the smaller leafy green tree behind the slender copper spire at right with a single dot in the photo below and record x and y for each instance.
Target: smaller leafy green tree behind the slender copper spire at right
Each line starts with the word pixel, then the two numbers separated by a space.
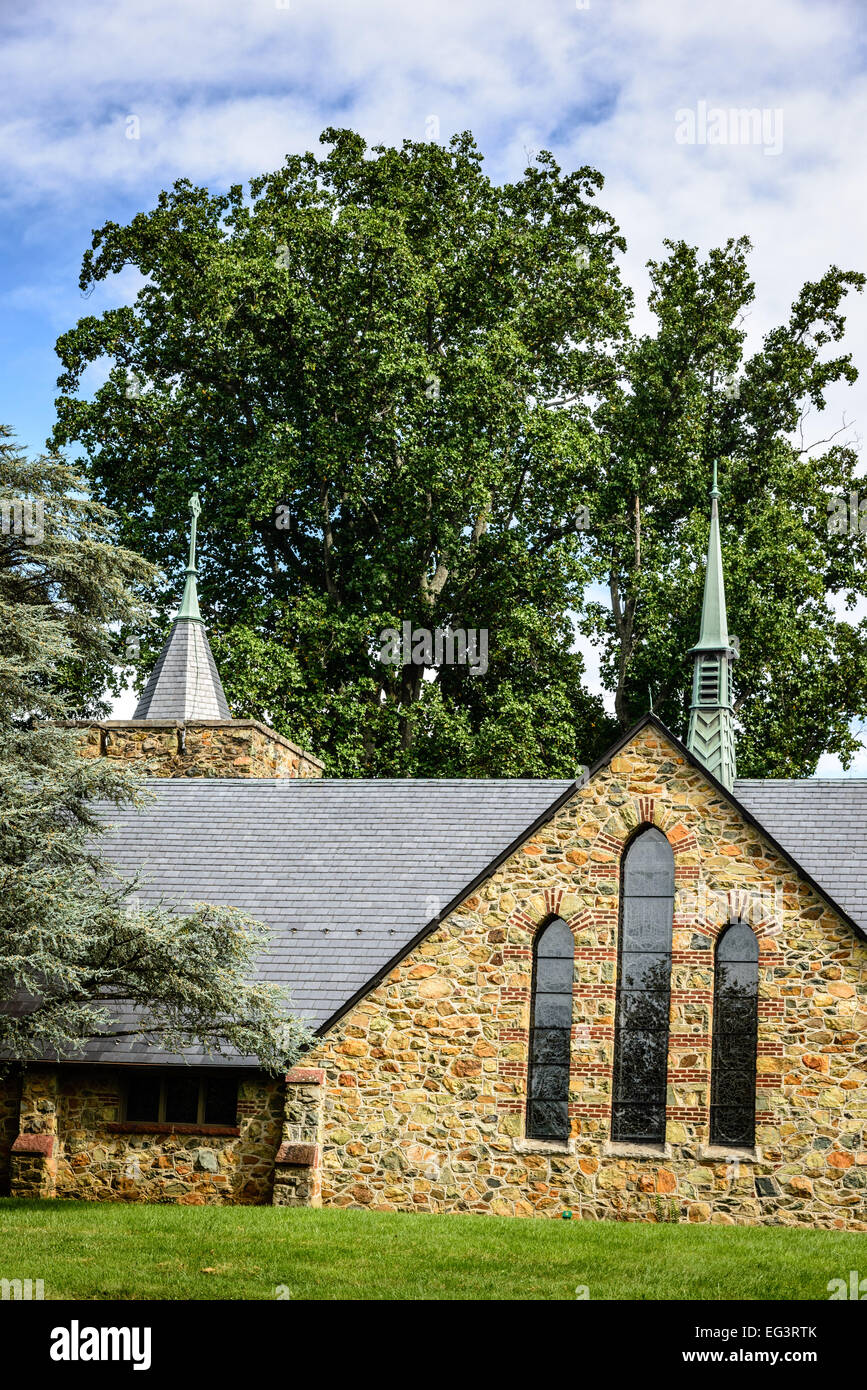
pixel 802 673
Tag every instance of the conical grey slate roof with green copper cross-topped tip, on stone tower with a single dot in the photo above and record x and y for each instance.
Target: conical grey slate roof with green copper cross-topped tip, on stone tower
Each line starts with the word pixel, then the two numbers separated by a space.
pixel 185 683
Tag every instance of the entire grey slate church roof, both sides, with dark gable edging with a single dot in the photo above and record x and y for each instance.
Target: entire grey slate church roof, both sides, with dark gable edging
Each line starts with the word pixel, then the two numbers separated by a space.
pixel 351 876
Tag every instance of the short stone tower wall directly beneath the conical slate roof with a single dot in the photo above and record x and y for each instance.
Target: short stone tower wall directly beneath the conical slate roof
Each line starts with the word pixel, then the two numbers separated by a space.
pixel 198 749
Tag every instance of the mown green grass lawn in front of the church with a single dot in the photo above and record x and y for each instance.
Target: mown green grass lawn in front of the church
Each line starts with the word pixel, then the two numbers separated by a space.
pixel 116 1252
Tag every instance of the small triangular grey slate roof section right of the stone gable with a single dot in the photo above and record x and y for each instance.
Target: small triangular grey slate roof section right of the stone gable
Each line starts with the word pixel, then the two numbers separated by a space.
pixel 822 822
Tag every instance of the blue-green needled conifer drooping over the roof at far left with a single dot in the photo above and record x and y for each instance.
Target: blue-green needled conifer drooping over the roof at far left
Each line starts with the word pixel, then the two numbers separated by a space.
pixel 74 939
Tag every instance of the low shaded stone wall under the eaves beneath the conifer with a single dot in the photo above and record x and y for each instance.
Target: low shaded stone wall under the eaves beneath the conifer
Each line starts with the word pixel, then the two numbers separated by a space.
pixel 99 1157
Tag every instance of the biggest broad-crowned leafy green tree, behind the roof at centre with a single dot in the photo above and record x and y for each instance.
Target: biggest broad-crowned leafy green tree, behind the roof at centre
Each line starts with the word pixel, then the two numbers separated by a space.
pixel 372 344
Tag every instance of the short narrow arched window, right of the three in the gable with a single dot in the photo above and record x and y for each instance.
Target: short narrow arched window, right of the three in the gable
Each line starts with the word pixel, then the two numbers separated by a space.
pixel 736 1035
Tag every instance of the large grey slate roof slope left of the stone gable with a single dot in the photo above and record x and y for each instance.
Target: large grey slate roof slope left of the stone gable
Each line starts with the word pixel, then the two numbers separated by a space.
pixel 347 874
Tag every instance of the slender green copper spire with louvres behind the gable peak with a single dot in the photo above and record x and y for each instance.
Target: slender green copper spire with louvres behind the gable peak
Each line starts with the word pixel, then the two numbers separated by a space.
pixel 712 719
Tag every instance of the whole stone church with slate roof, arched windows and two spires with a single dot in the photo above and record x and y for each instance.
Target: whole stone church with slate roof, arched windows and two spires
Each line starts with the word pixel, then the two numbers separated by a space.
pixel 641 995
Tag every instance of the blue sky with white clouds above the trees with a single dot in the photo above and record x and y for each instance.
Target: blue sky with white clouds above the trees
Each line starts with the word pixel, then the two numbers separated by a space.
pixel 223 90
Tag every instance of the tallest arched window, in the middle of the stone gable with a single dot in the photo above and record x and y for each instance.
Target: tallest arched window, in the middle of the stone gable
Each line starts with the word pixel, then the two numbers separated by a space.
pixel 644 989
